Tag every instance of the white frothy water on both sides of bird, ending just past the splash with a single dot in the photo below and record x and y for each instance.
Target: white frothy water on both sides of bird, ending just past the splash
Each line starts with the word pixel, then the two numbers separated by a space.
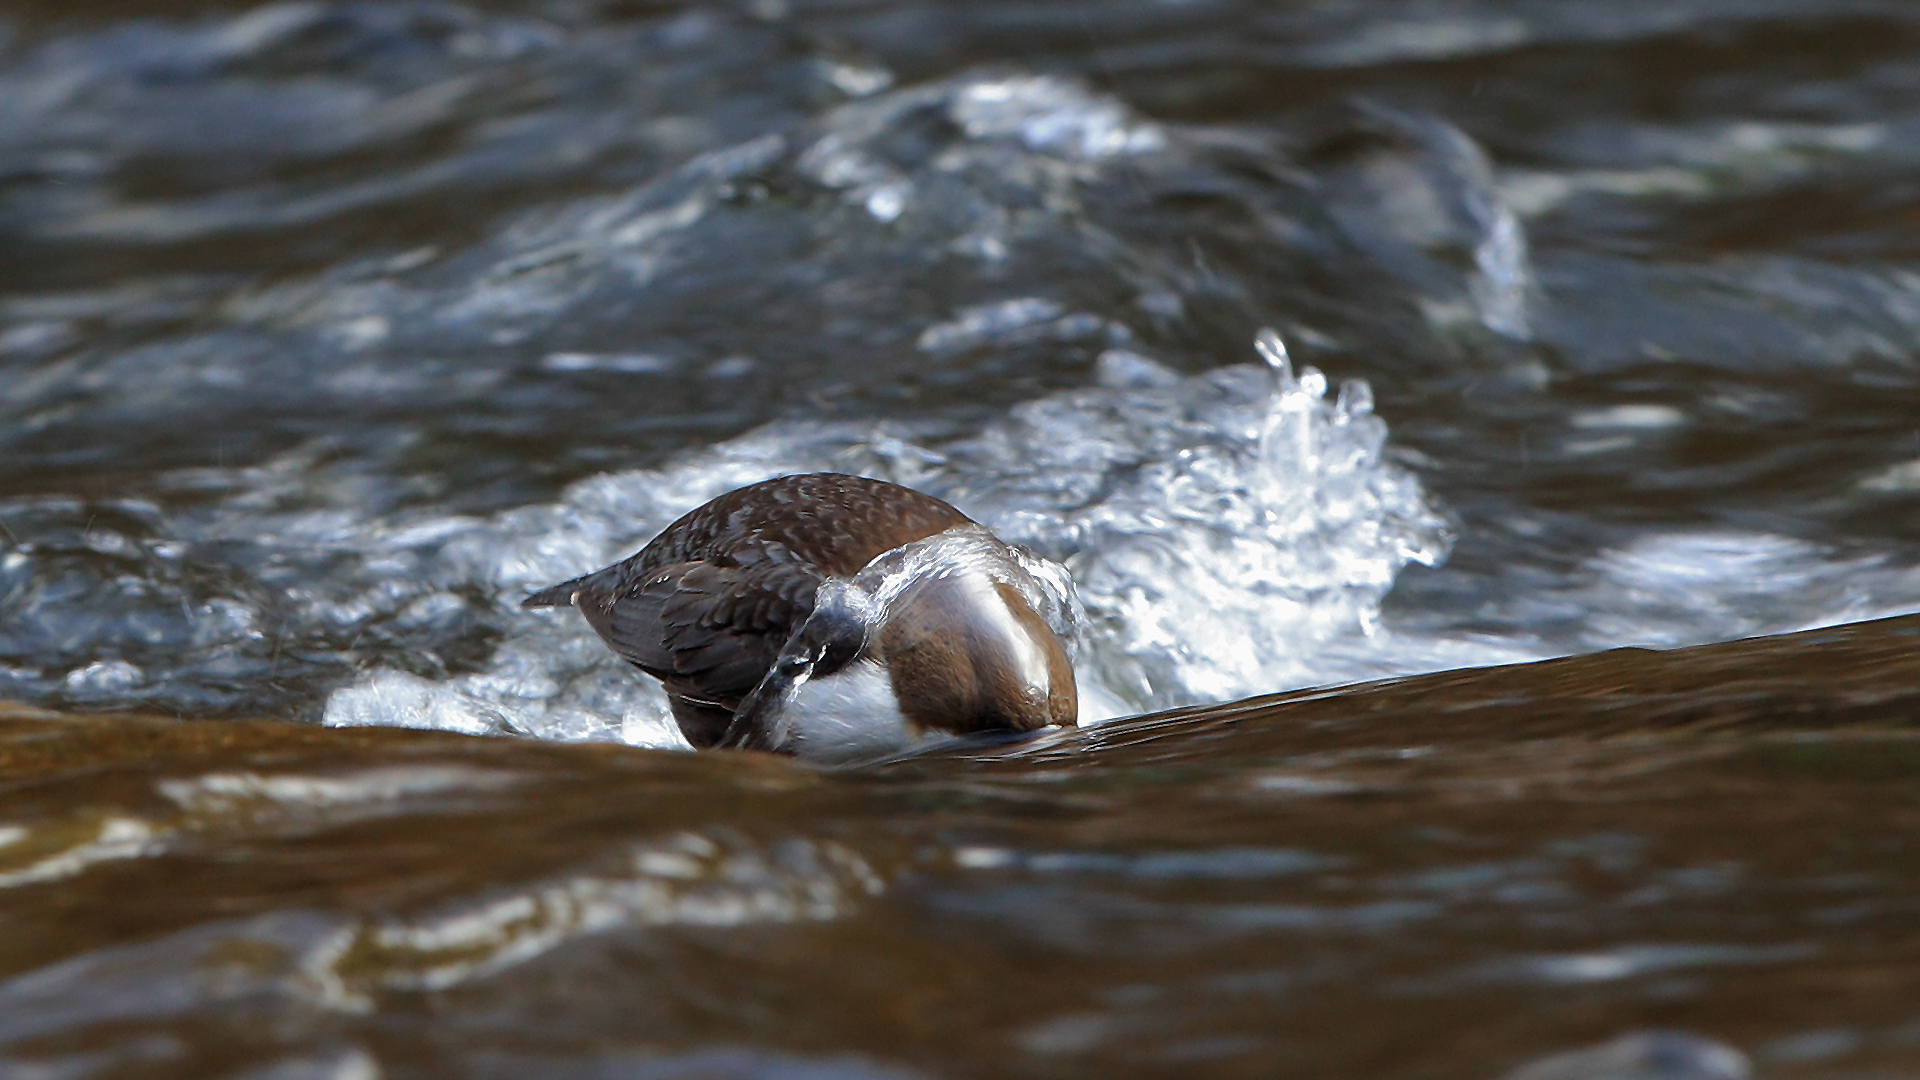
pixel 1232 533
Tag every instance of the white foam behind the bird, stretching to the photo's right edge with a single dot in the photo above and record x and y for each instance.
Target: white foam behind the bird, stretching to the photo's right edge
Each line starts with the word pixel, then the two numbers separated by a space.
pixel 1232 533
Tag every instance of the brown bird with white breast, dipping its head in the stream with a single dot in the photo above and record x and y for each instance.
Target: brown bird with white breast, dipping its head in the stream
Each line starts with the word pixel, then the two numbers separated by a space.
pixel 838 618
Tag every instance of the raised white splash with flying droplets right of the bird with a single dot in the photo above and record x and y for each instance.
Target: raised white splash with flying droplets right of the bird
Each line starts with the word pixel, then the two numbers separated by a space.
pixel 1222 529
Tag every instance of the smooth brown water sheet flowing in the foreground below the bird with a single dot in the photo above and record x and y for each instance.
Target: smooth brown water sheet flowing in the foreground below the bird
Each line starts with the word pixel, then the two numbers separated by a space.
pixel 1435 877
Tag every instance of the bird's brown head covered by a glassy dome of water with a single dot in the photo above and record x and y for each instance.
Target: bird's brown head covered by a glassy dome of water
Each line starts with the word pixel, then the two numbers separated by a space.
pixel 971 654
